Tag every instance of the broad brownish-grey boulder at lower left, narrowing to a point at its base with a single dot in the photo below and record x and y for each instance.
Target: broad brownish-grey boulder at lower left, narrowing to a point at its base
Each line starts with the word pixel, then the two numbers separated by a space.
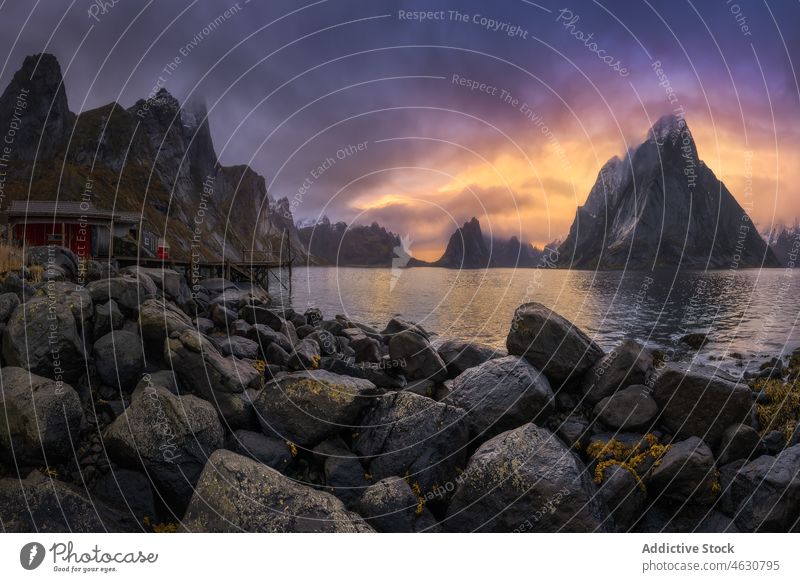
pixel 169 436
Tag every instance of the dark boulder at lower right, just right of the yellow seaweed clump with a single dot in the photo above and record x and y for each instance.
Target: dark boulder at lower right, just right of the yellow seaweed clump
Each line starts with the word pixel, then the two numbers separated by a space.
pixel 686 472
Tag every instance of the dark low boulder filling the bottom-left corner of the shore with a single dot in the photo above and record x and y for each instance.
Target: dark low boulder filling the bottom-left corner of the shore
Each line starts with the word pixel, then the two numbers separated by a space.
pixel 39 504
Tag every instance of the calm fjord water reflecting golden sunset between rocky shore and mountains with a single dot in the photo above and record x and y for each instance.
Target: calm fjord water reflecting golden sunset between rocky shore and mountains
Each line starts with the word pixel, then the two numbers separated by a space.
pixel 752 312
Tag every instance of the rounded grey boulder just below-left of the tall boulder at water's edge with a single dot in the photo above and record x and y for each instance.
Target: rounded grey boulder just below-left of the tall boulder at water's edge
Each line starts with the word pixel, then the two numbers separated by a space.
pixel 502 394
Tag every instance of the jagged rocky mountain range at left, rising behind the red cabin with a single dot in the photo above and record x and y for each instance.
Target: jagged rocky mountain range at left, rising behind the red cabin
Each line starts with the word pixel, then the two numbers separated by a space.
pixel 155 158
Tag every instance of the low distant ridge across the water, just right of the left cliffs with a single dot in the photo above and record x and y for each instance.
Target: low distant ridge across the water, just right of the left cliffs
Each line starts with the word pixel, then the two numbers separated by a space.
pixel 354 245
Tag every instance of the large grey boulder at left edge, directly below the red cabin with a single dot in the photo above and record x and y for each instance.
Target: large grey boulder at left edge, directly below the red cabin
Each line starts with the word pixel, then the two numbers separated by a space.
pixel 45 334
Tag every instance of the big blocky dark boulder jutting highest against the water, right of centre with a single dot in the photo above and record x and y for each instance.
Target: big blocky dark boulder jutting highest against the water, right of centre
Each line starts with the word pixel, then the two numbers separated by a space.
pixel 551 343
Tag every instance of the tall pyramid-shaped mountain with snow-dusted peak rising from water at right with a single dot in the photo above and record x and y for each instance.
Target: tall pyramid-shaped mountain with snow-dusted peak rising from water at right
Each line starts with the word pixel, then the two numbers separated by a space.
pixel 661 206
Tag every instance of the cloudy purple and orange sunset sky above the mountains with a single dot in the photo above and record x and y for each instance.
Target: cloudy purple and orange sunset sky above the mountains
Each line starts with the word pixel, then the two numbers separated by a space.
pixel 421 114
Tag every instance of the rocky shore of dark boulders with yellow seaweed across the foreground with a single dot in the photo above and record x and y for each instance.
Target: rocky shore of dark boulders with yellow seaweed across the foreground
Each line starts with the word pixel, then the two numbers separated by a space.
pixel 132 403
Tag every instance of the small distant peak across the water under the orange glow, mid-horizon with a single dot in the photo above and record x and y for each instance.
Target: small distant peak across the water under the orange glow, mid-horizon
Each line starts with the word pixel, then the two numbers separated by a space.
pixel 468 248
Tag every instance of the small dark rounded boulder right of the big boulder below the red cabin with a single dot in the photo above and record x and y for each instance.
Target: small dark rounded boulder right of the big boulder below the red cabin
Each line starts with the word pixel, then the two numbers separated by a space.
pixel 119 359
